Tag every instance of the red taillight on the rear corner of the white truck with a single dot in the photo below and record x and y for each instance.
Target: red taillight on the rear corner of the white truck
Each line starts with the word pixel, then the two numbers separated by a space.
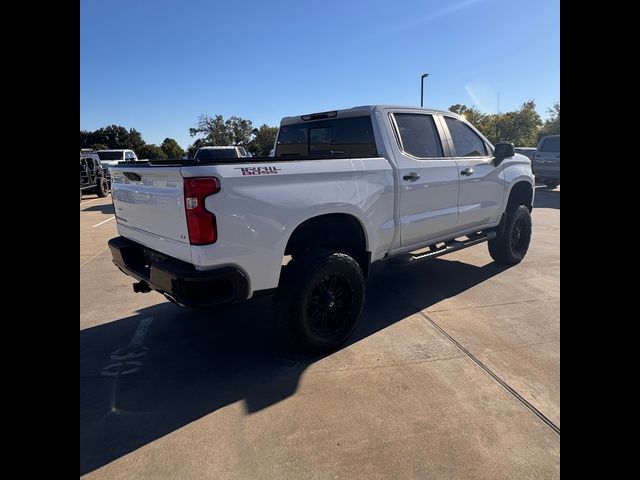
pixel 200 222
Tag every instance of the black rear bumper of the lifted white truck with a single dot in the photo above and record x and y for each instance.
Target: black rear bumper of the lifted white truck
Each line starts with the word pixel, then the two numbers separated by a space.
pixel 179 280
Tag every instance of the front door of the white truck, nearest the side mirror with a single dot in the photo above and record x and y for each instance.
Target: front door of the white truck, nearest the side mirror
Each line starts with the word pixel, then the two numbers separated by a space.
pixel 481 192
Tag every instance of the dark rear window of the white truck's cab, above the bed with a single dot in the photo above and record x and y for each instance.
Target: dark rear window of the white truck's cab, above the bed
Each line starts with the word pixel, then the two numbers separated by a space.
pixel 340 137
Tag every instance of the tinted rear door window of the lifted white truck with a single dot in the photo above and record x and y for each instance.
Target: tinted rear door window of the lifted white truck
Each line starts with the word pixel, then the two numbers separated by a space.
pixel 418 134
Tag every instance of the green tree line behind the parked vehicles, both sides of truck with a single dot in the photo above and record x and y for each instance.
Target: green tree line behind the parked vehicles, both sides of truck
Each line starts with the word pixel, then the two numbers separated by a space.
pixel 523 127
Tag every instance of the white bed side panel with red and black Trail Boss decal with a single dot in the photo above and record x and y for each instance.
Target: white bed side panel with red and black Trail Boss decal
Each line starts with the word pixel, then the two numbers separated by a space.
pixel 260 205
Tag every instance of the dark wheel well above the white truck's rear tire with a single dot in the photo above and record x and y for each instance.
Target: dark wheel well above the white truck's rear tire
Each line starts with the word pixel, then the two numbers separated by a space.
pixel 338 232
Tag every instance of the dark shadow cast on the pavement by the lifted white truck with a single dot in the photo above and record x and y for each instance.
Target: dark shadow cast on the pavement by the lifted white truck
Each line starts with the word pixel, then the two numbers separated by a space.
pixel 192 363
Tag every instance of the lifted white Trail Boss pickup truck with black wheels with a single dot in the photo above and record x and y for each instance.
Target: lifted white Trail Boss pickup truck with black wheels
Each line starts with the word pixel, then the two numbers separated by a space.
pixel 345 189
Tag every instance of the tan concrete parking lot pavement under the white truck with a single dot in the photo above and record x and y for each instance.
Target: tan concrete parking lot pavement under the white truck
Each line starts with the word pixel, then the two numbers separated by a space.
pixel 452 373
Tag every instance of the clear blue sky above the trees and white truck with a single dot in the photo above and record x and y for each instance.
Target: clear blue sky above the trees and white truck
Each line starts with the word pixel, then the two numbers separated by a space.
pixel 155 65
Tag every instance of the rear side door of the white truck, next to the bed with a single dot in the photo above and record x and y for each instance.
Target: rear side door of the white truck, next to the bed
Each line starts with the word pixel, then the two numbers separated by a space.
pixel 428 180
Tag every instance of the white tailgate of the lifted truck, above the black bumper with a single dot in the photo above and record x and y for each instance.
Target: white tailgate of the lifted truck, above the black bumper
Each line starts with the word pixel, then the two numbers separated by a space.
pixel 149 207
